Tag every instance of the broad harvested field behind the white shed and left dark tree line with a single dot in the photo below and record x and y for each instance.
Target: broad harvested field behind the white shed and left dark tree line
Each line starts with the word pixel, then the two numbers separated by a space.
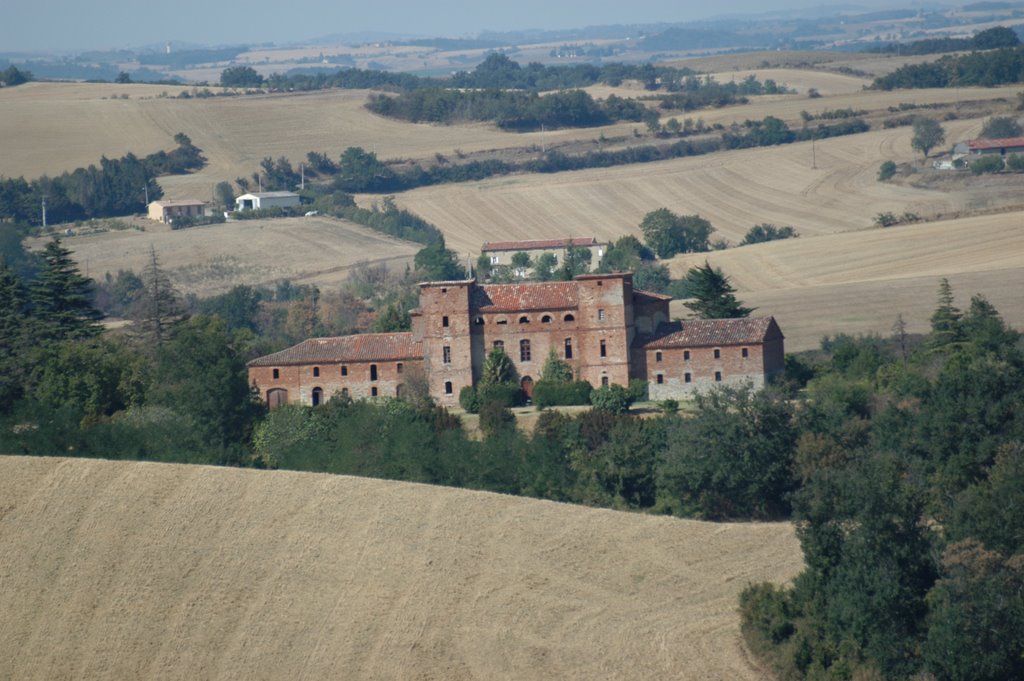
pixel 48 129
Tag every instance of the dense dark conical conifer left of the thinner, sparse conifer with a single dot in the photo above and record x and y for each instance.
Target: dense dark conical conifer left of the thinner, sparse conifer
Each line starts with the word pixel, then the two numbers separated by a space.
pixel 62 297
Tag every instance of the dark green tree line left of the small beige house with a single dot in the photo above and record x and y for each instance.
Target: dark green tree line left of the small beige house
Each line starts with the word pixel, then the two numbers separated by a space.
pixel 117 187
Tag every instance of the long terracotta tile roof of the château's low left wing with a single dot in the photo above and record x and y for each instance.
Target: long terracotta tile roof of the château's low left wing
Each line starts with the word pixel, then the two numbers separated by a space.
pixel 362 348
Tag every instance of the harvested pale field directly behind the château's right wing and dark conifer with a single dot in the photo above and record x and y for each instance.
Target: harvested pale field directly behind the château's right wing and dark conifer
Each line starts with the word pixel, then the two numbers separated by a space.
pixel 859 282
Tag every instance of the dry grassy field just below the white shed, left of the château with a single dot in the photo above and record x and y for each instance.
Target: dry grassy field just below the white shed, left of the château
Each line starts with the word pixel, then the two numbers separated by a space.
pixel 212 260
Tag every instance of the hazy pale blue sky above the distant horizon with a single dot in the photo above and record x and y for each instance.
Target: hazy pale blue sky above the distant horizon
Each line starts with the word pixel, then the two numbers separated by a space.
pixel 72 25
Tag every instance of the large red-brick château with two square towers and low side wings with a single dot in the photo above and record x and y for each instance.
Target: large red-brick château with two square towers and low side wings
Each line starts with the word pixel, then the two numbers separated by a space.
pixel 608 331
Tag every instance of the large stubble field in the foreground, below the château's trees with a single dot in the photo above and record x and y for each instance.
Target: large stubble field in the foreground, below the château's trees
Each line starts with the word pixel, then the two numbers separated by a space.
pixel 137 571
